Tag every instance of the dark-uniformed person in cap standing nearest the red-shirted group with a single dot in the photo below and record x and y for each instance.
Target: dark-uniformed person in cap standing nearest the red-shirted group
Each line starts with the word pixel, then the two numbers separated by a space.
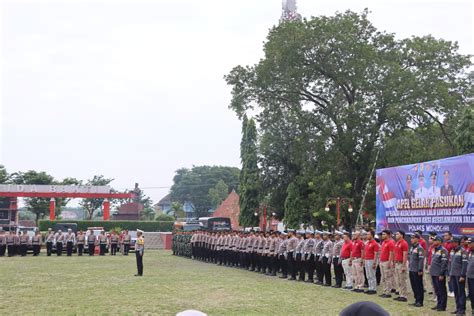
pixel 415 267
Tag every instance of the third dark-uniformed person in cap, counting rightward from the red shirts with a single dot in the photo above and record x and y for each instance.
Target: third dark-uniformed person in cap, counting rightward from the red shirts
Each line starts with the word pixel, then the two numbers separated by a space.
pixel 457 268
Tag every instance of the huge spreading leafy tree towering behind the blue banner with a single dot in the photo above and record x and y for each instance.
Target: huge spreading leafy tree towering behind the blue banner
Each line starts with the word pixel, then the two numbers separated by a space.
pixel 336 87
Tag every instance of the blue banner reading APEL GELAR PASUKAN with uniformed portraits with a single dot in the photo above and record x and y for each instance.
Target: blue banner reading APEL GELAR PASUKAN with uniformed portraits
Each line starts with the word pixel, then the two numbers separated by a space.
pixel 429 196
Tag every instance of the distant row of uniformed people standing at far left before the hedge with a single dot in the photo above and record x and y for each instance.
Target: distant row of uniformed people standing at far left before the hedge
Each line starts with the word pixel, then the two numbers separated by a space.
pixel 58 242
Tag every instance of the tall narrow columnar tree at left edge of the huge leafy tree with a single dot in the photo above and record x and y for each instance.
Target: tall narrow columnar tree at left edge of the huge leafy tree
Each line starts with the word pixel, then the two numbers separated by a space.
pixel 250 180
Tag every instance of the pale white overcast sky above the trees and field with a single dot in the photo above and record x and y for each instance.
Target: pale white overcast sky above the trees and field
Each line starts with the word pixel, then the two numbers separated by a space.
pixel 135 90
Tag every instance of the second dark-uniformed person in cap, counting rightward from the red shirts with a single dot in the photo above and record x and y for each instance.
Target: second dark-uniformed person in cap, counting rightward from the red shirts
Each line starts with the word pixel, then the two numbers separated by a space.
pixel 439 272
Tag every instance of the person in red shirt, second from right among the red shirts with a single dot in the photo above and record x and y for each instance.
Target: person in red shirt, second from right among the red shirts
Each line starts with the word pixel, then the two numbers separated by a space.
pixel 386 263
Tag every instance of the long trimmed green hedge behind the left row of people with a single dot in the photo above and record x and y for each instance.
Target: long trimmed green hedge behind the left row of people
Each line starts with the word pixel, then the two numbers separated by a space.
pixel 148 226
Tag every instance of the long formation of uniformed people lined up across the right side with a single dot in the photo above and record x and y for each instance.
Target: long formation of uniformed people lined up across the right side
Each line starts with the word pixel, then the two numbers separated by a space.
pixel 362 259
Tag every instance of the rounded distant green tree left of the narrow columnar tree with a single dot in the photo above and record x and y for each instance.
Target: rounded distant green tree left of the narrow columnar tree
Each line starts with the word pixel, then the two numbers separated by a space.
pixel 192 185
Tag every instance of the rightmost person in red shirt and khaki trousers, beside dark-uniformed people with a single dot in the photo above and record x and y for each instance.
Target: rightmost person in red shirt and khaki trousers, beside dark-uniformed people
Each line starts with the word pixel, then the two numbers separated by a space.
pixel 400 257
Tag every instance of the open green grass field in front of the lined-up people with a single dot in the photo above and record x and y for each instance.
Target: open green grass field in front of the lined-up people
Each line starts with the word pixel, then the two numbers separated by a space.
pixel 106 285
